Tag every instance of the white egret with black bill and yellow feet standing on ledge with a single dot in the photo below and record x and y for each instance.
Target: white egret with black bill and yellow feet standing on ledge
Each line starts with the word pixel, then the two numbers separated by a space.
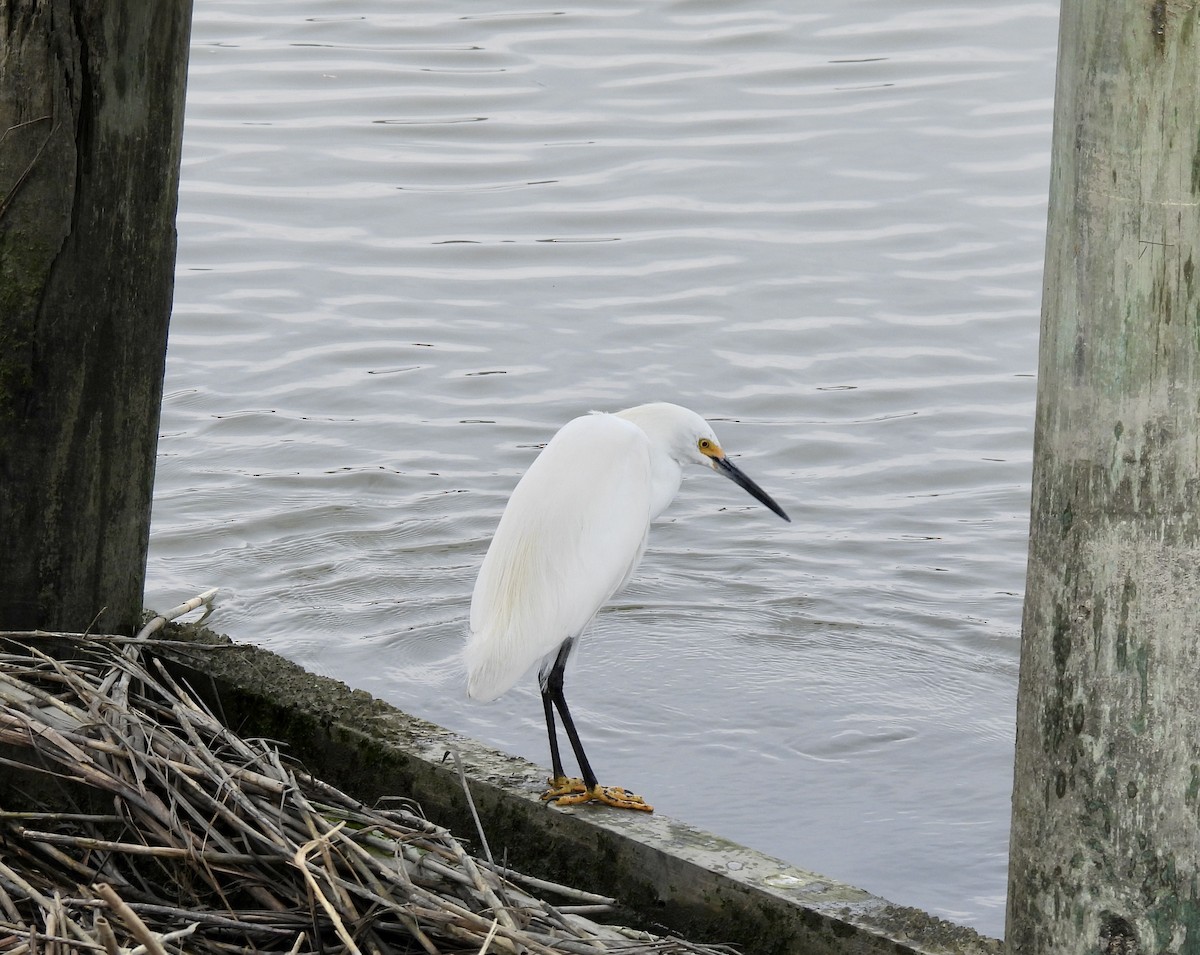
pixel 568 540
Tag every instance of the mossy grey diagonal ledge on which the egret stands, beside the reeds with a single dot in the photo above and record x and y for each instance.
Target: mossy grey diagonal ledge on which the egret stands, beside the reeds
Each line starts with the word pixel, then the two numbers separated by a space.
pixel 670 876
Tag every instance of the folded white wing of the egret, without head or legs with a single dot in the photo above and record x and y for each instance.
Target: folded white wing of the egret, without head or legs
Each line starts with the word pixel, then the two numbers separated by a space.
pixel 571 537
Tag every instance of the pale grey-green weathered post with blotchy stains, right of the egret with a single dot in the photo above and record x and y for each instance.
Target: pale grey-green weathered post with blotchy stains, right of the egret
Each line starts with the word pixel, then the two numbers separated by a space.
pixel 1106 844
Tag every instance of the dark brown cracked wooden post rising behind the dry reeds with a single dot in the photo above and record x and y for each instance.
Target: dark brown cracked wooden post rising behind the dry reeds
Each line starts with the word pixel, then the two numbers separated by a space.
pixel 92 106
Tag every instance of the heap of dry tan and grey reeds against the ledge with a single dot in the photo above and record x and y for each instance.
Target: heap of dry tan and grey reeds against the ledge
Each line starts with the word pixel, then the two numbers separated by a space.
pixel 183 837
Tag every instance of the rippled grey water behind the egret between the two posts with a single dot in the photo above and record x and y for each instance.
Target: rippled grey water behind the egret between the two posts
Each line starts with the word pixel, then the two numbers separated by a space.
pixel 417 238
